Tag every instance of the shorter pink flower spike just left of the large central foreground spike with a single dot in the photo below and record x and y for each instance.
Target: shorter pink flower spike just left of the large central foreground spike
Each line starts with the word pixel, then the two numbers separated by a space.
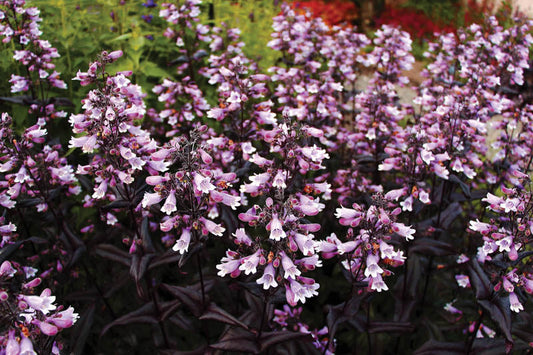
pixel 191 189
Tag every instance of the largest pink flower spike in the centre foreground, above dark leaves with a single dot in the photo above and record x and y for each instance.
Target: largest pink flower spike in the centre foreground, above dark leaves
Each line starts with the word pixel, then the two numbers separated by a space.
pixel 281 212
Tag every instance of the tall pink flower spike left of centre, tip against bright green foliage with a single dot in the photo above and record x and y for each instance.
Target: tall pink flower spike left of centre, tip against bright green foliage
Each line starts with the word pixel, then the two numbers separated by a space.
pixel 109 126
